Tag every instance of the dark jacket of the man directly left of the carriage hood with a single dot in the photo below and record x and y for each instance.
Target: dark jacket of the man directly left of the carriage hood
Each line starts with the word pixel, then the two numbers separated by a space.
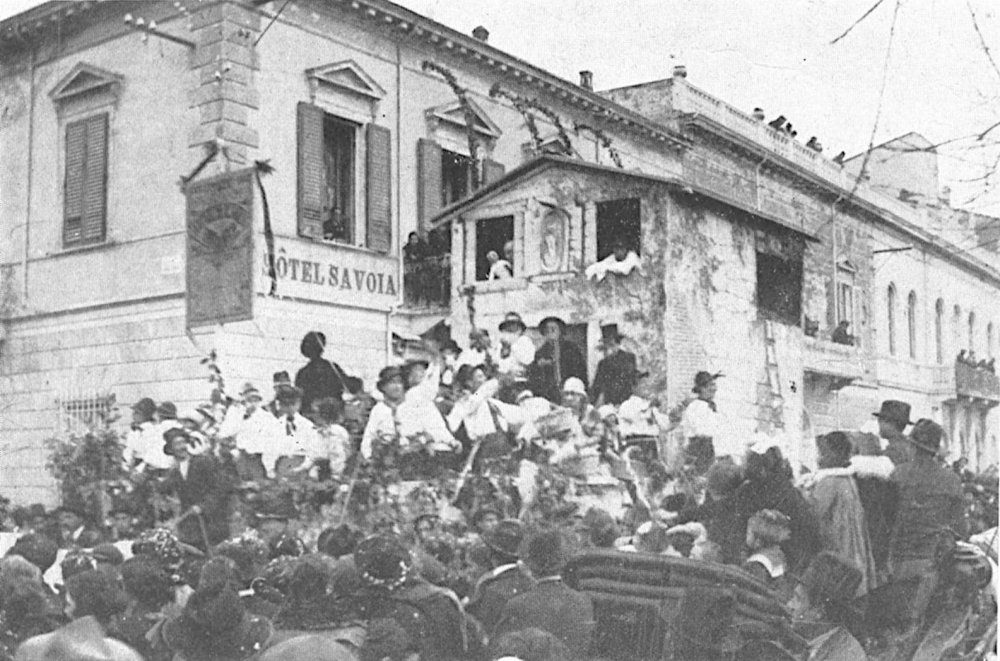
pixel 554 607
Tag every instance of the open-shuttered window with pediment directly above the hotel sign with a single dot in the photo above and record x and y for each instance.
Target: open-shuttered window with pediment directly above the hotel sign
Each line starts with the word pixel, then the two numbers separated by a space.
pixel 328 160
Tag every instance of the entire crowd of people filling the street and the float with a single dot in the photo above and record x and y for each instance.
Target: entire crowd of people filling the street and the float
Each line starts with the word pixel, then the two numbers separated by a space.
pixel 434 520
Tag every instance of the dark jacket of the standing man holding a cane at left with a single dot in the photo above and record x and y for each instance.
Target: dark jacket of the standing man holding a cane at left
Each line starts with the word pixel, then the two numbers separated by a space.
pixel 206 488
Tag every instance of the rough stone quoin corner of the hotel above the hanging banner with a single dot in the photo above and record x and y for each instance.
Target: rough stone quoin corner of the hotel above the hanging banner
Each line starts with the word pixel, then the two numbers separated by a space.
pixel 223 91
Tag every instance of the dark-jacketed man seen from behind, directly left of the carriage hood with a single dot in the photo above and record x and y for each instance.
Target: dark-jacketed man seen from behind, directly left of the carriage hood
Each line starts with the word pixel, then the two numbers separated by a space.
pixel 551 605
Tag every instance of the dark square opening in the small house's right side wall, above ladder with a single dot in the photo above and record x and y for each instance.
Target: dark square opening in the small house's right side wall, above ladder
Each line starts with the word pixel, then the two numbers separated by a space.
pixel 779 277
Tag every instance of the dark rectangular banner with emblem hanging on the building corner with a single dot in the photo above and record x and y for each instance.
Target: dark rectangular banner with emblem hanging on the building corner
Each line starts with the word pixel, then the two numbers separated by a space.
pixel 220 249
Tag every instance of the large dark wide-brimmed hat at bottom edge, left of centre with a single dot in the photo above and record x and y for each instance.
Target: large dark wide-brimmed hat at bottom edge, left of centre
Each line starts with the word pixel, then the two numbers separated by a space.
pixel 215 624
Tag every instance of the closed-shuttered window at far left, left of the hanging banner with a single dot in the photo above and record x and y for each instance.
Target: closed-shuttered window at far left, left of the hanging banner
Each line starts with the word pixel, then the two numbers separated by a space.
pixel 85 182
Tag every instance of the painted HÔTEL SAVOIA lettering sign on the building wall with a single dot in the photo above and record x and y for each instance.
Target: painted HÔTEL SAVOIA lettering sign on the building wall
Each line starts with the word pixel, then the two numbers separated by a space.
pixel 328 273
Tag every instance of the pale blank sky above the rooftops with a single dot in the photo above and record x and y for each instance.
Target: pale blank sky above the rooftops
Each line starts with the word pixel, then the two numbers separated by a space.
pixel 938 79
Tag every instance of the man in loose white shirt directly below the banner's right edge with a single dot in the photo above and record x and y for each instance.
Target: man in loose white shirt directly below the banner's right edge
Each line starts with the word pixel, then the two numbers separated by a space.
pixel 256 431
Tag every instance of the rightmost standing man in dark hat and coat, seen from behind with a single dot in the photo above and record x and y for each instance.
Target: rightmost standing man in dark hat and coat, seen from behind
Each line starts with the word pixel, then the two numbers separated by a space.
pixel 930 511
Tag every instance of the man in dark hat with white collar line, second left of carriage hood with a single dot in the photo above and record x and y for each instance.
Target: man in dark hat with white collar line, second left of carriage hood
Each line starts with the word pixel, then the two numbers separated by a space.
pixel 505 579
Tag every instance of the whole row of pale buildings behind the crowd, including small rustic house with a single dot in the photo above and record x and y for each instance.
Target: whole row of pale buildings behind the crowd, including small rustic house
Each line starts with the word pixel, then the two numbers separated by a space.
pixel 186 177
